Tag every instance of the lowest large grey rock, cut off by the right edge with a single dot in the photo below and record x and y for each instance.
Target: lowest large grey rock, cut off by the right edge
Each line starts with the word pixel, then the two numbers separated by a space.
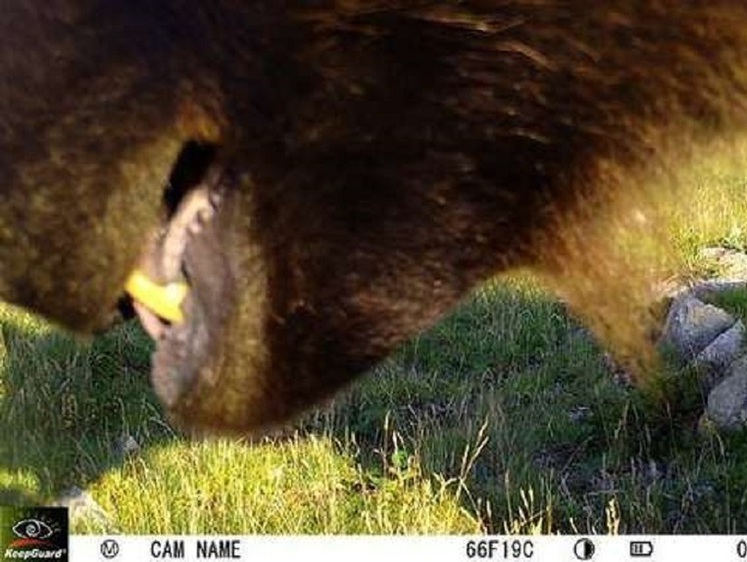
pixel 727 402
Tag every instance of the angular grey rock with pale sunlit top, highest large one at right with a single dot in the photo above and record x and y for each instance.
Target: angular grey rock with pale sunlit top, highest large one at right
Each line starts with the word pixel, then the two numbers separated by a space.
pixel 692 325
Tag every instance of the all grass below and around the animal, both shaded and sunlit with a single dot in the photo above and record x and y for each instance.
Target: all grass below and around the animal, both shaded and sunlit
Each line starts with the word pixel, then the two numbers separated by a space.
pixel 502 418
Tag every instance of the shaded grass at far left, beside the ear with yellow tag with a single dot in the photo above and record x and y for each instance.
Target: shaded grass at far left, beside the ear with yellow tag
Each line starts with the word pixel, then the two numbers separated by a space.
pixel 67 406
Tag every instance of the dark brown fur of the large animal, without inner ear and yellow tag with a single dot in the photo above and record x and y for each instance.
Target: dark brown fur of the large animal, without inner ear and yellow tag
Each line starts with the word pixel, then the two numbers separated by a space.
pixel 379 159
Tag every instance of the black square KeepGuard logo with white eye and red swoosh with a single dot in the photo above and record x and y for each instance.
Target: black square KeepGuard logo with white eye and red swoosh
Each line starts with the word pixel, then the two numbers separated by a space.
pixel 30 534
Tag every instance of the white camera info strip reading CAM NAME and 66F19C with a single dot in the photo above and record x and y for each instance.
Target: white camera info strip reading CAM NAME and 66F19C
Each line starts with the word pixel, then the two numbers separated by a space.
pixel 191 548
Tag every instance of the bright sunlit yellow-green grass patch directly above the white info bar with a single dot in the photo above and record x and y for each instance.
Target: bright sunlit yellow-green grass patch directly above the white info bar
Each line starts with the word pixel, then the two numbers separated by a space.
pixel 297 486
